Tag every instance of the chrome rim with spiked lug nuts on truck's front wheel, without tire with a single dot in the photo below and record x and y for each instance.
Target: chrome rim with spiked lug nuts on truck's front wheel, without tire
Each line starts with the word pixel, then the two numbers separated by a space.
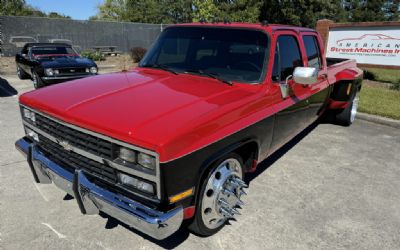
pixel 221 197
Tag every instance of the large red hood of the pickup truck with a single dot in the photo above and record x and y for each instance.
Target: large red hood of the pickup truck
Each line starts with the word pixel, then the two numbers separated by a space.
pixel 144 107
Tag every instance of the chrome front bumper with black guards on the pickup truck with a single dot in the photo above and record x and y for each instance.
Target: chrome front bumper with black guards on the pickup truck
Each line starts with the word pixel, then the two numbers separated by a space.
pixel 92 198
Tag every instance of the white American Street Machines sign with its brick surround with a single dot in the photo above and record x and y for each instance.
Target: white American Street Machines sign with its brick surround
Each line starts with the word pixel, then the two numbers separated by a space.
pixel 375 44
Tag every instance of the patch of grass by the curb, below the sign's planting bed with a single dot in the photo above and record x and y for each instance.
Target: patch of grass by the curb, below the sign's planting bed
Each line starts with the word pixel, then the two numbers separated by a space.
pixel 380 101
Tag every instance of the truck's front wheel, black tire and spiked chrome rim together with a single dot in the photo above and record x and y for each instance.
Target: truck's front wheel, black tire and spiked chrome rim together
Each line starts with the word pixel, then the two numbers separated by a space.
pixel 220 196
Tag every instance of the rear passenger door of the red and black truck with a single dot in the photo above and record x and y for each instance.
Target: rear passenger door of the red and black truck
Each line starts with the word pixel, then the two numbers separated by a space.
pixel 318 91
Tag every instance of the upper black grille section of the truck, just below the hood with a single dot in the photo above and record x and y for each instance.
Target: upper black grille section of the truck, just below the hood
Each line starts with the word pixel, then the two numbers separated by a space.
pixel 92 144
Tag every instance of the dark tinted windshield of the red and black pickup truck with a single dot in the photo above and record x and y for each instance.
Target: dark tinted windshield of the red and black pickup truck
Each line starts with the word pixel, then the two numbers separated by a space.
pixel 231 54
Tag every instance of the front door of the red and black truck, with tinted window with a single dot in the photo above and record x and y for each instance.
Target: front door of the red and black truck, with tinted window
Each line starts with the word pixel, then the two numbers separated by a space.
pixel 294 117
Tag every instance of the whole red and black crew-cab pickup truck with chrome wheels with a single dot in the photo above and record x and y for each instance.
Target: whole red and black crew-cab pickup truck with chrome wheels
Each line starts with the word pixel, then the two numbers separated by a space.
pixel 172 139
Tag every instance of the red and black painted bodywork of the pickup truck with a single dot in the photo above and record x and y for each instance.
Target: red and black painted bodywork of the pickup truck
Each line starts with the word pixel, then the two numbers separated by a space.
pixel 191 121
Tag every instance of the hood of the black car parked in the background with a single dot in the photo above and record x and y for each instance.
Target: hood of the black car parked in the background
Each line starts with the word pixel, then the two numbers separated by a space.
pixel 66 62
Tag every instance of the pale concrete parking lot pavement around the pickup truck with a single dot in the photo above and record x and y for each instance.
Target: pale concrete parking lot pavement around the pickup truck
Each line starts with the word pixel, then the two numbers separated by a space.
pixel 332 187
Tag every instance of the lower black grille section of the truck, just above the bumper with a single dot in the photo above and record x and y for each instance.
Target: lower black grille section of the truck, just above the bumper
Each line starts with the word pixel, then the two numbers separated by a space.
pixel 71 160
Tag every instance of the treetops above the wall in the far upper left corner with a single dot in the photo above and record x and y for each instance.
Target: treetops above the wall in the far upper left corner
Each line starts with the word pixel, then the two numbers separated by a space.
pixel 20 8
